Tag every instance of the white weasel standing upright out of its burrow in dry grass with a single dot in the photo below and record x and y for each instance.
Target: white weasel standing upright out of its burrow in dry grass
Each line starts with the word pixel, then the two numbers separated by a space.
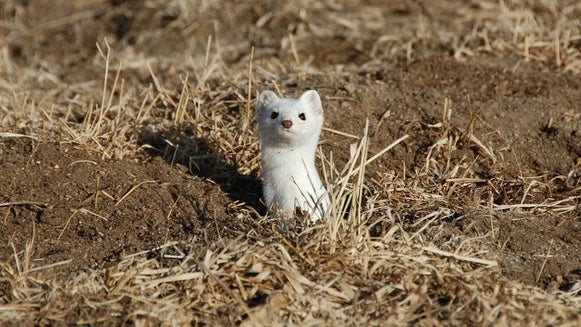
pixel 289 133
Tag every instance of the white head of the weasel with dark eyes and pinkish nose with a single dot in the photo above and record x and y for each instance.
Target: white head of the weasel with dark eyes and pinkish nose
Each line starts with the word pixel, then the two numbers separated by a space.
pixel 289 121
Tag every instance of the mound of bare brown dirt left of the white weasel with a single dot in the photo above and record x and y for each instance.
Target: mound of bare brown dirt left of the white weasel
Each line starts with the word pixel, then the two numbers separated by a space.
pixel 76 207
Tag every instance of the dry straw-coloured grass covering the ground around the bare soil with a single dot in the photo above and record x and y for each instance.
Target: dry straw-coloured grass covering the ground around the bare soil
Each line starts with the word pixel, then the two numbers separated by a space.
pixel 339 271
